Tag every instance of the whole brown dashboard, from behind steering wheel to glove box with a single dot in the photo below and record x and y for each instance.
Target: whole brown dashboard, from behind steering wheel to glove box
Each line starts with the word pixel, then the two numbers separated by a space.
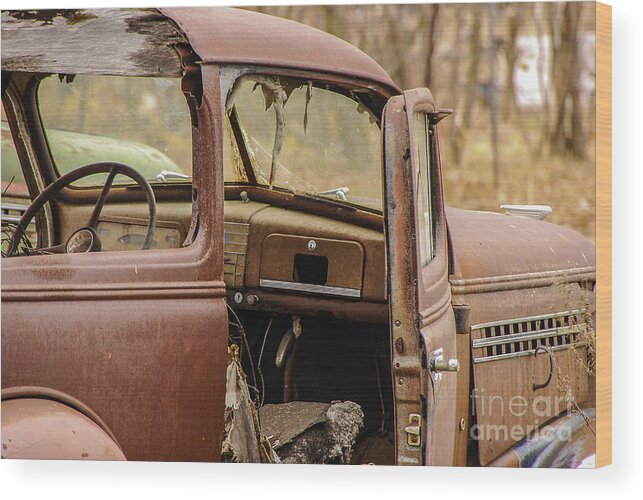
pixel 275 258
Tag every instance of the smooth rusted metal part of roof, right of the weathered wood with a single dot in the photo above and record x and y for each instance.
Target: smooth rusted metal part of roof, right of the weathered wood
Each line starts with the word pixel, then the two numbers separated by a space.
pixel 231 36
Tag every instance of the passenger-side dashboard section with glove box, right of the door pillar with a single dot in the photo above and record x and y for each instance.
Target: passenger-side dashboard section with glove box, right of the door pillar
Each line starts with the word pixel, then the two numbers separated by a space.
pixel 272 248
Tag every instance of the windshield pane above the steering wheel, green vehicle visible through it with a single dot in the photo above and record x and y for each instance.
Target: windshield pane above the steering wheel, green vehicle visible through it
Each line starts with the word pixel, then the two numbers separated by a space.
pixel 141 122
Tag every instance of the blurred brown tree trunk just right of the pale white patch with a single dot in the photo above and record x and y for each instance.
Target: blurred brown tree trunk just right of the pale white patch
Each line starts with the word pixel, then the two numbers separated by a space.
pixel 567 134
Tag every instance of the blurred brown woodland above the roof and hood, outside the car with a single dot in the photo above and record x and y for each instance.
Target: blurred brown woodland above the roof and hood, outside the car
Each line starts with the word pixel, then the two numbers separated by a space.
pixel 521 79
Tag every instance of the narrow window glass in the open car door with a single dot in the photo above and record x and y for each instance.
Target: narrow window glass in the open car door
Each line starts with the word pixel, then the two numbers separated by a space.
pixel 422 150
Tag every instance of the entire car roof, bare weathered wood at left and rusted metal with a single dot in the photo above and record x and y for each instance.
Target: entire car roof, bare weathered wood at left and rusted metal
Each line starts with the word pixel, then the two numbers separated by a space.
pixel 142 42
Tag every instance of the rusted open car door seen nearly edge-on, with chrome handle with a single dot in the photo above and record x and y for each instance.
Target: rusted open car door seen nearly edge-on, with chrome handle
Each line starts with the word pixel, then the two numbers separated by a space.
pixel 423 333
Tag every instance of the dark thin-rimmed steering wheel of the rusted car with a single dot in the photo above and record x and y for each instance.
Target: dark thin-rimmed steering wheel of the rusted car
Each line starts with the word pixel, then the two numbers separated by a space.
pixel 86 239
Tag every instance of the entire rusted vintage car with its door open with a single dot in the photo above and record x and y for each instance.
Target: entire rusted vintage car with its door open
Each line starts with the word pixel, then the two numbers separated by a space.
pixel 376 297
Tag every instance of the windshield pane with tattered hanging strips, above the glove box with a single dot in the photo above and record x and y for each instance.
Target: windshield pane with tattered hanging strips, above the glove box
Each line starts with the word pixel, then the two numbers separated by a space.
pixel 305 138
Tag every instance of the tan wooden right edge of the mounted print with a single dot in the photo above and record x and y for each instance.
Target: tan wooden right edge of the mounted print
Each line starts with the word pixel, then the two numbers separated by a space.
pixel 603 234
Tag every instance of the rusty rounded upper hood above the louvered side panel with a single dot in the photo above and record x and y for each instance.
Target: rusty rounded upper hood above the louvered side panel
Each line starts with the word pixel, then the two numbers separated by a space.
pixel 487 244
